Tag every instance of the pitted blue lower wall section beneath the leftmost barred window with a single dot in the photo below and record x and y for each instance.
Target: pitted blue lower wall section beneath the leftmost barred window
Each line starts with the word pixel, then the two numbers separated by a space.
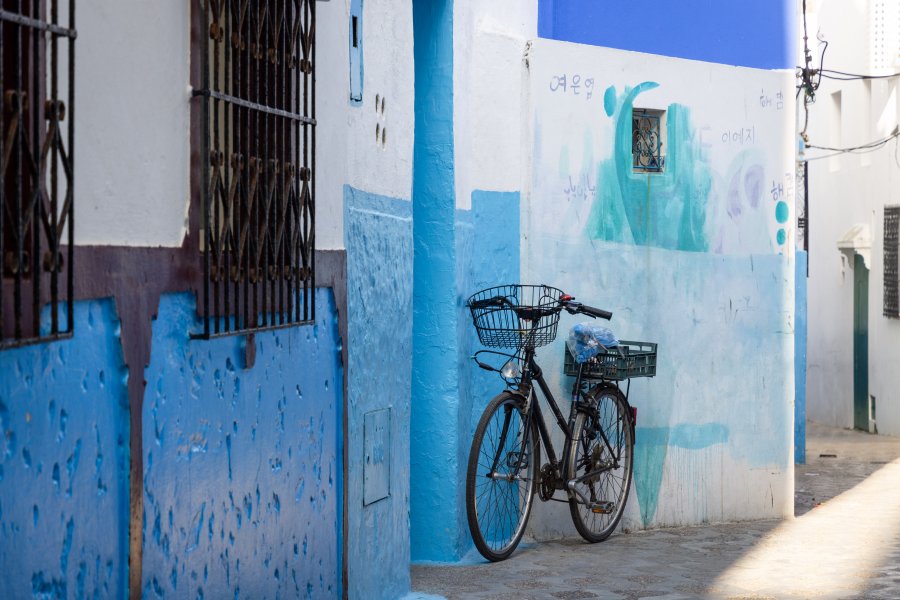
pixel 64 434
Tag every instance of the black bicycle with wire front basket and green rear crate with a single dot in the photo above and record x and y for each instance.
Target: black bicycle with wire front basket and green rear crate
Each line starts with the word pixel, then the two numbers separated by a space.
pixel 503 471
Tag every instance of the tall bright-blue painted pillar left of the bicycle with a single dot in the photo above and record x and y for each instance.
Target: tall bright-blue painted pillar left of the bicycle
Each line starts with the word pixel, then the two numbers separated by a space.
pixel 435 523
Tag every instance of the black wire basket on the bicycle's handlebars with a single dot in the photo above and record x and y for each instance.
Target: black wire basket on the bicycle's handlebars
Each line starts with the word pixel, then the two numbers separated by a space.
pixel 515 316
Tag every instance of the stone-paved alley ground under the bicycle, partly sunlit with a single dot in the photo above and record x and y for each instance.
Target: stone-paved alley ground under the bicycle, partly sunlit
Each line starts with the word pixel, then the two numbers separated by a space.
pixel 845 543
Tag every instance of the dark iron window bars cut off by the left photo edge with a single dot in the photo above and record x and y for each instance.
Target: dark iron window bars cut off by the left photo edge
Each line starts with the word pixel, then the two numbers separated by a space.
pixel 37 80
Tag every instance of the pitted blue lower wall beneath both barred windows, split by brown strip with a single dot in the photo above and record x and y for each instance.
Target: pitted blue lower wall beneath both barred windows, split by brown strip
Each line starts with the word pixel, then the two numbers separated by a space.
pixel 243 471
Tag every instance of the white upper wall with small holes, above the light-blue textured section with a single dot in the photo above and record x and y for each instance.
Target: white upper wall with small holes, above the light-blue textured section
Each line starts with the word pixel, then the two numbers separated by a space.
pixel 347 149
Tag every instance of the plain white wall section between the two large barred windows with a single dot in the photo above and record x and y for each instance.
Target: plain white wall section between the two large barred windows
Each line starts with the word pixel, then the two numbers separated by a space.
pixel 132 123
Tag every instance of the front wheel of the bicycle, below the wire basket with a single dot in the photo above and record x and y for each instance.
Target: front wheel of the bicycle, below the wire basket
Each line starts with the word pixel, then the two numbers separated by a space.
pixel 502 470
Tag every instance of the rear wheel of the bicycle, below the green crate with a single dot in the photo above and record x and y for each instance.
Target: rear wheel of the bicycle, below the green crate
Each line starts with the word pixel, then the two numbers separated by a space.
pixel 589 453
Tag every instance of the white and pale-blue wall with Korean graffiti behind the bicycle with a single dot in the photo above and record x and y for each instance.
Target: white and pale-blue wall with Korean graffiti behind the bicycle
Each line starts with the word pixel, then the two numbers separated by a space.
pixel 499 145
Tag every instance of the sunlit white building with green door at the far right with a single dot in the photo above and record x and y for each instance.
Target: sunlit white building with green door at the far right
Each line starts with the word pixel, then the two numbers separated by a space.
pixel 843 191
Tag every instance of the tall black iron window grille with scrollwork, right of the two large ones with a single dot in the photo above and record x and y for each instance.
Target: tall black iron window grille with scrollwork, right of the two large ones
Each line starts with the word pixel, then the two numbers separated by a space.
pixel 257 234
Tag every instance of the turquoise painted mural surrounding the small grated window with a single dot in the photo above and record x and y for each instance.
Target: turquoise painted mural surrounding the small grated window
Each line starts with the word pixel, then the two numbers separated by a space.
pixel 667 209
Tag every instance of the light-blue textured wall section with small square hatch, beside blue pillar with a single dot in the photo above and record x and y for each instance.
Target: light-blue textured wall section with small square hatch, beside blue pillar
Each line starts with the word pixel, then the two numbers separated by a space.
pixel 379 245
